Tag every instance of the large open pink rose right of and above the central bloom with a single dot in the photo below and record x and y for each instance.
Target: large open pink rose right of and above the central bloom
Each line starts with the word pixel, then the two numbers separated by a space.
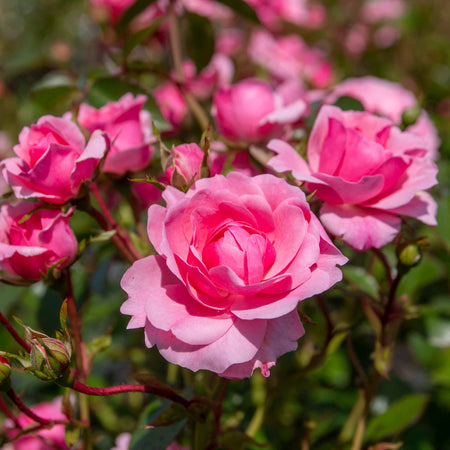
pixel 366 171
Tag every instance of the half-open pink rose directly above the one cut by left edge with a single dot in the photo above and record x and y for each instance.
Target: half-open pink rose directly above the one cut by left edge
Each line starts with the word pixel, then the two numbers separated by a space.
pixel 53 161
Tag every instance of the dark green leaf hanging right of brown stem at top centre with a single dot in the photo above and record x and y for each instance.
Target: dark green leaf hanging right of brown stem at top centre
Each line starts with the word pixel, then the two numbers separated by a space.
pixel 199 40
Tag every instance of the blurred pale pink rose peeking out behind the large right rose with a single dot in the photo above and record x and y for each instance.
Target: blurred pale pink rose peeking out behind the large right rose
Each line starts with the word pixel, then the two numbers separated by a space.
pixel 390 100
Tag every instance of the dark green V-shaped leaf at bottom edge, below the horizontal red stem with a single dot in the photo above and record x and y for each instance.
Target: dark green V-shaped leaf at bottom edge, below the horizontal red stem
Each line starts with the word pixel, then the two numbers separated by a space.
pixel 154 438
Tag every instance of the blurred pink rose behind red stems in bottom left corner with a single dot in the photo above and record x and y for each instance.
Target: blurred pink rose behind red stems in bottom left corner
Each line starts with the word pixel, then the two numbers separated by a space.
pixel 45 438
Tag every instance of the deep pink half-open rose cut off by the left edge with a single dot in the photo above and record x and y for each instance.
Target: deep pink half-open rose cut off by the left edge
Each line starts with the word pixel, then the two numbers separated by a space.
pixel 30 245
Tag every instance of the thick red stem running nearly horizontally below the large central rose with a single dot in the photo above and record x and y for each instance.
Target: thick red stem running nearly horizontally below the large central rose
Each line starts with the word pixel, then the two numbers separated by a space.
pixel 113 390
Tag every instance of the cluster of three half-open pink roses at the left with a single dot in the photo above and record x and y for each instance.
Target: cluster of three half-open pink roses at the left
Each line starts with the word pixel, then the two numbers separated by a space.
pixel 55 165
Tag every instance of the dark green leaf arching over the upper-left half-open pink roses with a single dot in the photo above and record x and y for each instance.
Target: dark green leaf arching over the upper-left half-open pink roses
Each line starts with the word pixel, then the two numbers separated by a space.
pixel 110 89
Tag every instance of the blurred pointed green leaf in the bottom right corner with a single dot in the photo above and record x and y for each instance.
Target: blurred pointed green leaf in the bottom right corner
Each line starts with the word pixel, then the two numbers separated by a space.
pixel 400 415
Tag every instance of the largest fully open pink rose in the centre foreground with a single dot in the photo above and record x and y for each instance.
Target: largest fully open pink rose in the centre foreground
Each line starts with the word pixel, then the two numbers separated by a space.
pixel 236 255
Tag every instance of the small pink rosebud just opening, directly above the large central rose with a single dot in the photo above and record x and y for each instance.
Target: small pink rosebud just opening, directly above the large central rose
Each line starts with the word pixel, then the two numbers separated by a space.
pixel 184 164
